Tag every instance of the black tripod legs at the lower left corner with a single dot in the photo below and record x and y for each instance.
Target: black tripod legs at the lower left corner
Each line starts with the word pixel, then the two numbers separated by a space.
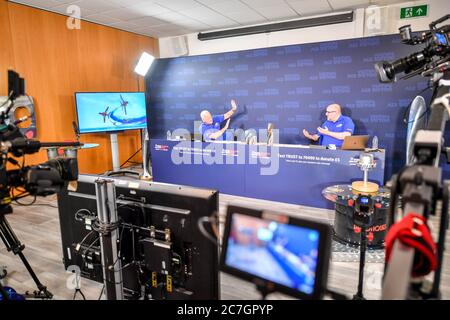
pixel 13 244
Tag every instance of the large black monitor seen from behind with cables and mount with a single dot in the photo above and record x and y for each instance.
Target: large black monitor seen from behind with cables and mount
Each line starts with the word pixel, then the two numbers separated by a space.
pixel 176 247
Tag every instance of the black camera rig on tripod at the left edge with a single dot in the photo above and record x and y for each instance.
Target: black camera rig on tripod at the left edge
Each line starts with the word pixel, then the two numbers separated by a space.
pixel 38 180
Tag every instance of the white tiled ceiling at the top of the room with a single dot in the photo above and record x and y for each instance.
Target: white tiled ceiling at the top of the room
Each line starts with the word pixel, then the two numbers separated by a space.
pixel 163 18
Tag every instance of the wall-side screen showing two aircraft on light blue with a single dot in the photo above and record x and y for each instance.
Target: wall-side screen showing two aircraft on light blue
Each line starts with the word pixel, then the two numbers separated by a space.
pixel 110 111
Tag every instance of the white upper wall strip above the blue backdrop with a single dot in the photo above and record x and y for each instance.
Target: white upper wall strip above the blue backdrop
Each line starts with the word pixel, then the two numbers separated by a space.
pixel 365 23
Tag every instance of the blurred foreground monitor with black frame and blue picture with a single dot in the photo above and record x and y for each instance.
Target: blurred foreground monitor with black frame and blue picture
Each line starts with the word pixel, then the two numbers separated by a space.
pixel 277 252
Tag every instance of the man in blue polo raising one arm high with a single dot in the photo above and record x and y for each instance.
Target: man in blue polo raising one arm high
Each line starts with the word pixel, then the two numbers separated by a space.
pixel 210 127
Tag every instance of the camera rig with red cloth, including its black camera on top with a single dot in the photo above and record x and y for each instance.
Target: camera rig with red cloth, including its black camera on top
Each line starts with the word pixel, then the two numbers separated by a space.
pixel 411 253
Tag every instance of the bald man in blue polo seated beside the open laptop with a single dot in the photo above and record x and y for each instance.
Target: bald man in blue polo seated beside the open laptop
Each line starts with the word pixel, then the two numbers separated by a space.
pixel 334 129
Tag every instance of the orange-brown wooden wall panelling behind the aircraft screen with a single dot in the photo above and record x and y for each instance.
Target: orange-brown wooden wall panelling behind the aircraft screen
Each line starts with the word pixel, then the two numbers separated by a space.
pixel 56 62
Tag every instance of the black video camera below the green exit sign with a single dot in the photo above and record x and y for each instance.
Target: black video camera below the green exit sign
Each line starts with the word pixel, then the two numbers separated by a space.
pixel 433 56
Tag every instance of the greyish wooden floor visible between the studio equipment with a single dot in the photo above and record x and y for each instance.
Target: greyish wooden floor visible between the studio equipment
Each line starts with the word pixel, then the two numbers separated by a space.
pixel 38 228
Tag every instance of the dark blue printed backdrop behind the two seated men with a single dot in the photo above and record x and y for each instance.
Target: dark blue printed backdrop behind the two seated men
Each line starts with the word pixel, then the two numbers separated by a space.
pixel 289 86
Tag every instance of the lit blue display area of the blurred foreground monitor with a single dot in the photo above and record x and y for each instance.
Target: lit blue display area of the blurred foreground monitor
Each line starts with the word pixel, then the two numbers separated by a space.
pixel 280 253
